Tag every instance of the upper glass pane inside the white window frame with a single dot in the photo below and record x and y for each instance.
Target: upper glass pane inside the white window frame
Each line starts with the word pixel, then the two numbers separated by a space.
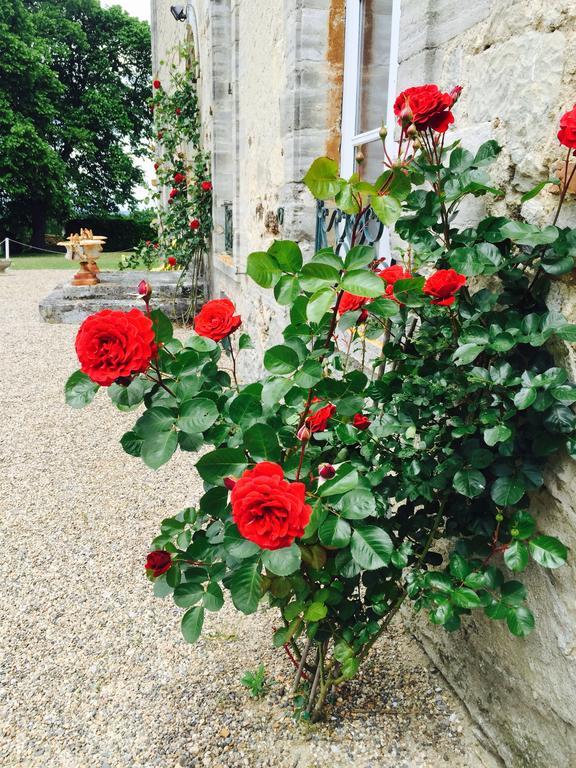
pixel 376 18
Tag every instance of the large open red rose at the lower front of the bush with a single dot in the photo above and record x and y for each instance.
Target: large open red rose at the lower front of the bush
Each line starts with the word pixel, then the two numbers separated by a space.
pixel 267 509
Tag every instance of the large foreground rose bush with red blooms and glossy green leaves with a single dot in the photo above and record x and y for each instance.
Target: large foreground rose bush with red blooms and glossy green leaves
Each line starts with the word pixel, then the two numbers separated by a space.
pixel 328 487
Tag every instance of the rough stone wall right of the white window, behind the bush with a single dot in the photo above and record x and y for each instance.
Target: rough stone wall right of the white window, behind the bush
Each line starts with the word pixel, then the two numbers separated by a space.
pixel 517 63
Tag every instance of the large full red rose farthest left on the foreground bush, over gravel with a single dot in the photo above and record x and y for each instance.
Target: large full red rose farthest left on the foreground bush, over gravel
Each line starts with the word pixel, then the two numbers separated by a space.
pixel 113 344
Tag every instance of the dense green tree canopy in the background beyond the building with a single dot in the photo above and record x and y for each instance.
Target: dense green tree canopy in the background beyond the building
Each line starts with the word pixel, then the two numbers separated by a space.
pixel 74 87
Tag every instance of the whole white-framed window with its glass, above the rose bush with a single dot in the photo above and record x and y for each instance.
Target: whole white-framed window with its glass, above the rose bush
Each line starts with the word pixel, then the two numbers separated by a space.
pixel 370 67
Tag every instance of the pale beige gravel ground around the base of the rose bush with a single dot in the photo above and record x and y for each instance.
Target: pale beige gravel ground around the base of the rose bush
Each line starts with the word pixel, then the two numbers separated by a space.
pixel 93 668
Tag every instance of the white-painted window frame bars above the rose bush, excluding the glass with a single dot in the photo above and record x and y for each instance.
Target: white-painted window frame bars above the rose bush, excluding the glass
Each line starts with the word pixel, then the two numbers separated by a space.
pixel 351 88
